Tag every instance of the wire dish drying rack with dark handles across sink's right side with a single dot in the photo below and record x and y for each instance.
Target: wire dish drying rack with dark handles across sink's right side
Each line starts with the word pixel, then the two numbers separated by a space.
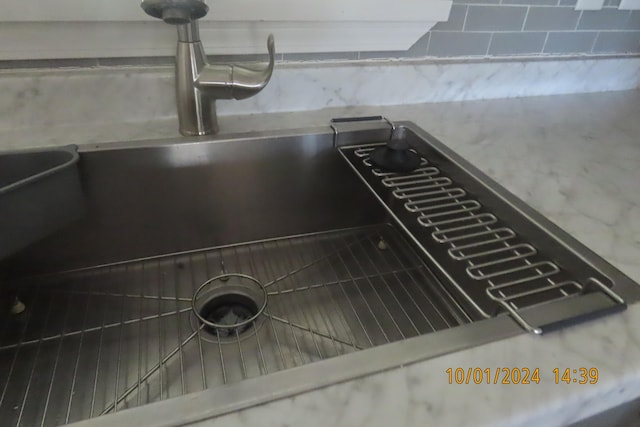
pixel 489 259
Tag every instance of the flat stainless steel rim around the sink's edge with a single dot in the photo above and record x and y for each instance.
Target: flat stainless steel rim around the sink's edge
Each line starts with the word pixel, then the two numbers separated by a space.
pixel 229 398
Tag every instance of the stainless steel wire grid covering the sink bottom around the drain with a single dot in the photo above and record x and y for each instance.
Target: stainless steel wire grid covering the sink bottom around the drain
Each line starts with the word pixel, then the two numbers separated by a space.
pixel 114 337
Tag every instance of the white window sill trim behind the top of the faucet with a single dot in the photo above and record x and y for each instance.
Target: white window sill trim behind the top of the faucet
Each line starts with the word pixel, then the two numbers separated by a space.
pixel 118 28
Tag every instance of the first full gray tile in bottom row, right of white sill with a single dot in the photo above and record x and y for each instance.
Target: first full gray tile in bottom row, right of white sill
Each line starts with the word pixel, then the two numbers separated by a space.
pixel 445 43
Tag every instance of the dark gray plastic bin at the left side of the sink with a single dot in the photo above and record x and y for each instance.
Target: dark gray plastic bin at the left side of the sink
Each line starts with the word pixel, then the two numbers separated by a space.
pixel 40 192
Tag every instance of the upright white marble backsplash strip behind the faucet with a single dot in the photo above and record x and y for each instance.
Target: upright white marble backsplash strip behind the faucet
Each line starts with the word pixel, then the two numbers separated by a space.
pixel 37 99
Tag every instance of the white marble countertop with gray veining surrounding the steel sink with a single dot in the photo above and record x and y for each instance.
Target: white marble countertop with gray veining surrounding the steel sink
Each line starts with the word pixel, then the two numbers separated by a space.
pixel 574 158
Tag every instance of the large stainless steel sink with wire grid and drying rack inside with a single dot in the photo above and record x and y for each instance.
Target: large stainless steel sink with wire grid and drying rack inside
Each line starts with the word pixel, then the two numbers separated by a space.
pixel 355 280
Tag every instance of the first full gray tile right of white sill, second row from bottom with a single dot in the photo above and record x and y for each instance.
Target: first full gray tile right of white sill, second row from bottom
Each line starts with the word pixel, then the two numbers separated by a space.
pixel 495 18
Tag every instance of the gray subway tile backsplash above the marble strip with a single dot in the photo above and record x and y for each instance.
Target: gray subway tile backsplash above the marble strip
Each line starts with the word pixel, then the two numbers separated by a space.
pixel 477 28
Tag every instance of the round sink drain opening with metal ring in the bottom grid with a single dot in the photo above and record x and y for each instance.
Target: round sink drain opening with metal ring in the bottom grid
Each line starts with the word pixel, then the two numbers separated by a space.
pixel 227 306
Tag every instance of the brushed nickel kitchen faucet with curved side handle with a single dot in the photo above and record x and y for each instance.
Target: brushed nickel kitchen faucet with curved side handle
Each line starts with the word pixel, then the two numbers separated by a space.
pixel 199 84
